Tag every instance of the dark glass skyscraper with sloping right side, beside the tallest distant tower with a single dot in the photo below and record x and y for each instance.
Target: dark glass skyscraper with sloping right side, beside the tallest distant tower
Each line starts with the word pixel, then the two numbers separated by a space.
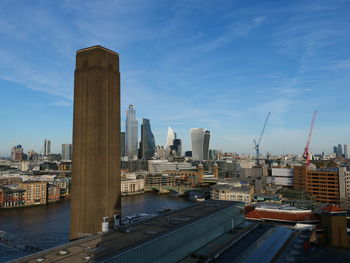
pixel 148 144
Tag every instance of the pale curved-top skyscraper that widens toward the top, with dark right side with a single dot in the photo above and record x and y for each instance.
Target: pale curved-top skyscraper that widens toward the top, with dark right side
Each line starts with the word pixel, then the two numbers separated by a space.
pixel 200 144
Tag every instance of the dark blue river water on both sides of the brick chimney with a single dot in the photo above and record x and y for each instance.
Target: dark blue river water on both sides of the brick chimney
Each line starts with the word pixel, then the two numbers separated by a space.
pixel 48 226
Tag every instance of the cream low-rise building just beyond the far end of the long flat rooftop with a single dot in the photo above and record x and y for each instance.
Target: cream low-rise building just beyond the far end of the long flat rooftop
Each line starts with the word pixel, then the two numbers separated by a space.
pixel 230 193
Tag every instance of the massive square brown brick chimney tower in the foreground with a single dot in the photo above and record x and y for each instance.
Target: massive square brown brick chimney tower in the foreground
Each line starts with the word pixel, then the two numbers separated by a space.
pixel 95 195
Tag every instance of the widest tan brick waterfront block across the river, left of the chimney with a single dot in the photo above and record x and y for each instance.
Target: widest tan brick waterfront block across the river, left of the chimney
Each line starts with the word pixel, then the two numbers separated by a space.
pixel 35 192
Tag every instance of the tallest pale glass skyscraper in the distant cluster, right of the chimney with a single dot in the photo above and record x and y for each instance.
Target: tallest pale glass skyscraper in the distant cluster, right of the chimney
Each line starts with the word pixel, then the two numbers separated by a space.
pixel 131 133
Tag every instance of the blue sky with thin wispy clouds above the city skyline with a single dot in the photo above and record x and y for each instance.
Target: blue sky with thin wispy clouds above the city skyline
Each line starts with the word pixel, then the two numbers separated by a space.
pixel 221 65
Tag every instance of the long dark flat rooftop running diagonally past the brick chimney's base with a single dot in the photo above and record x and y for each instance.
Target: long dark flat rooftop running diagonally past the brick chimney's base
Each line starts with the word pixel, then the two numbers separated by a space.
pixel 103 246
